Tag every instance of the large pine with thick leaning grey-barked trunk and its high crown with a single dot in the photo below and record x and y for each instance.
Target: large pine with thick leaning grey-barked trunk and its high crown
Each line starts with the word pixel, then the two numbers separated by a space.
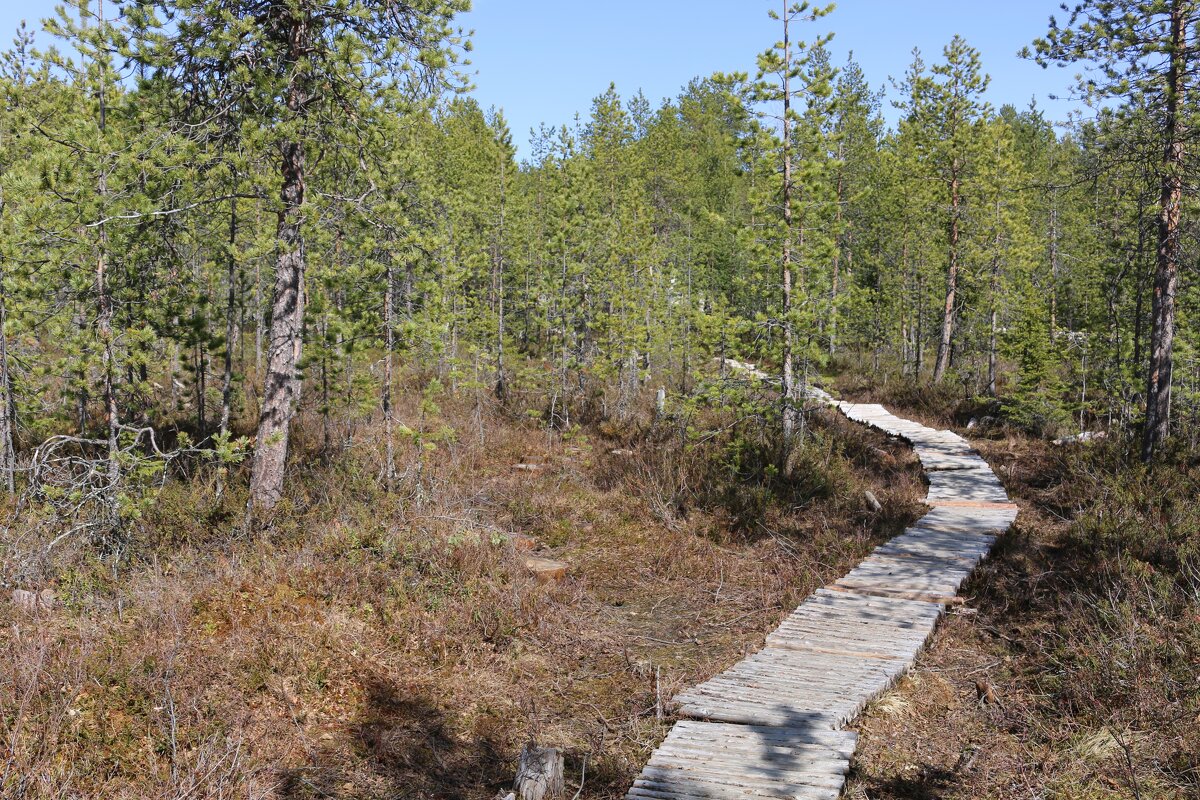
pixel 315 65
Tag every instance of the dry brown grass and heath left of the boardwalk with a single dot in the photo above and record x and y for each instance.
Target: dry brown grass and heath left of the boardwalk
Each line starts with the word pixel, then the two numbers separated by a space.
pixel 371 646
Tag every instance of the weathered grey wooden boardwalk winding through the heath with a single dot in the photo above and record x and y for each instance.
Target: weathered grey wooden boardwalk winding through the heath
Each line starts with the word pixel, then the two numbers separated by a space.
pixel 772 725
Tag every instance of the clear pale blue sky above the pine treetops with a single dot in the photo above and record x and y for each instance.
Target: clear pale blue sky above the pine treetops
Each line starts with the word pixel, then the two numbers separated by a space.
pixel 544 61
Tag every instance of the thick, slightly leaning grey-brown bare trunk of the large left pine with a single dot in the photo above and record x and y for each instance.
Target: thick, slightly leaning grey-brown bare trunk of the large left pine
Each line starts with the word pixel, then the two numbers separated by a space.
pixel 281 386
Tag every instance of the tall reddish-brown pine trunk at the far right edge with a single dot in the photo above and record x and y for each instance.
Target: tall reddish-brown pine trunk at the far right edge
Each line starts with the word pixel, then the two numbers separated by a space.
pixel 1162 334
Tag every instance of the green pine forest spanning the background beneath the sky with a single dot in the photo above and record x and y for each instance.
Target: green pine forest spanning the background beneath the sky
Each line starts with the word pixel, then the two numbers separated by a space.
pixel 219 214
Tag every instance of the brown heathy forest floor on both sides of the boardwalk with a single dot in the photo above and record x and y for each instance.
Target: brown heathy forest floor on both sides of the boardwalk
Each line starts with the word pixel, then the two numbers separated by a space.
pixel 397 647
